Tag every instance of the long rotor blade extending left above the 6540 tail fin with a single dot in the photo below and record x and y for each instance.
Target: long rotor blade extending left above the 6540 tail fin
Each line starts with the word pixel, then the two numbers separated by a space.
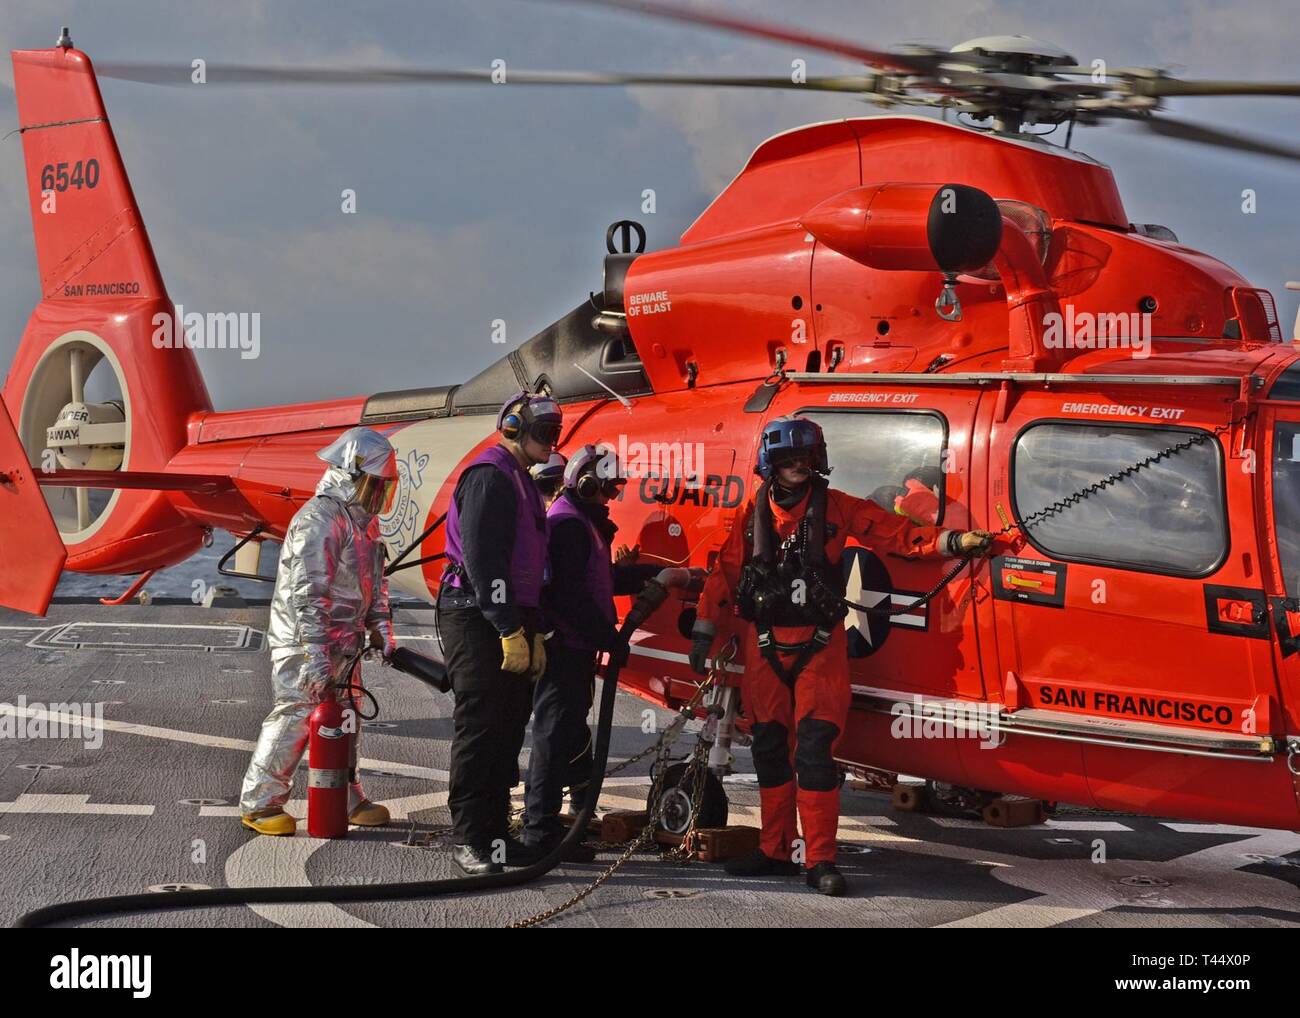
pixel 179 75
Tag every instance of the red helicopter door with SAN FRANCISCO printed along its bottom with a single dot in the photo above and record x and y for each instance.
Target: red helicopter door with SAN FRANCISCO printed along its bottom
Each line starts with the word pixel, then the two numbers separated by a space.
pixel 1133 604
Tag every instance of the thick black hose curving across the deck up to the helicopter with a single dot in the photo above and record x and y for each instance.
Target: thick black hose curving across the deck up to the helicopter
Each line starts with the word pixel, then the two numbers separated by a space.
pixel 229 896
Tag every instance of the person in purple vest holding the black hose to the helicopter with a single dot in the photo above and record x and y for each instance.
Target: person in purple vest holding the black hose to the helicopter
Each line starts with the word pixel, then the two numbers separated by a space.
pixel 579 603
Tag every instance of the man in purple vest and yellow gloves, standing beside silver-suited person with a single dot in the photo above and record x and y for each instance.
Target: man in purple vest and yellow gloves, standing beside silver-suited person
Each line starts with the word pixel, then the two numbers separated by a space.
pixel 491 623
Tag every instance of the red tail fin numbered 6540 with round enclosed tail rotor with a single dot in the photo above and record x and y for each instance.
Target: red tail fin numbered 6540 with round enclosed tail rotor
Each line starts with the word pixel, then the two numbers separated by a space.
pixel 90 387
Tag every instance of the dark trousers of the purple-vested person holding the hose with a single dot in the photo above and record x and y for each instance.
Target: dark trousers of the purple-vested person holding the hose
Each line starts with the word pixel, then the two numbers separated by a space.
pixel 562 742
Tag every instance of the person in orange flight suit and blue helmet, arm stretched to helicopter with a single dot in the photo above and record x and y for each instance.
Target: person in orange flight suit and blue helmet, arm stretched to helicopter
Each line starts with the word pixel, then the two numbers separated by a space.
pixel 781 571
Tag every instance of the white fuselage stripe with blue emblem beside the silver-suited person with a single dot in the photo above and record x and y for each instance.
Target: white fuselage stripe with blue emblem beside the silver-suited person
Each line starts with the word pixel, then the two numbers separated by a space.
pixel 430 454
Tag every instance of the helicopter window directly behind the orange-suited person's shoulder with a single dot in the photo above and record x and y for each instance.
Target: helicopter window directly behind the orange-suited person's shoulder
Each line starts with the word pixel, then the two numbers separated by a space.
pixel 899 466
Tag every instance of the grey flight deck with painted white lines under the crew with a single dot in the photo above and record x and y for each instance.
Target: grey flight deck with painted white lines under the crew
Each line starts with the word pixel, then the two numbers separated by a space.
pixel 184 692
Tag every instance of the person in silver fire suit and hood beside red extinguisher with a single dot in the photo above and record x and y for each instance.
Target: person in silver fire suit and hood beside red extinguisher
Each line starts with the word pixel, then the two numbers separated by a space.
pixel 331 594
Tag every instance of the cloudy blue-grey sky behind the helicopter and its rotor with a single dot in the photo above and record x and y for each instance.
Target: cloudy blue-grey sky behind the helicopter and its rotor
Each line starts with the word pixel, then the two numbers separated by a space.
pixel 476 203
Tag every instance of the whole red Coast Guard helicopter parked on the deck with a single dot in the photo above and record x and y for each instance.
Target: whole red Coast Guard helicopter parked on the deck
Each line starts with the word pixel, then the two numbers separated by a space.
pixel 964 307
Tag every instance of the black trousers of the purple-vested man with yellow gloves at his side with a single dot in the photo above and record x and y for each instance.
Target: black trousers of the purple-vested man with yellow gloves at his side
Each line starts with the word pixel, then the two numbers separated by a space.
pixel 488 727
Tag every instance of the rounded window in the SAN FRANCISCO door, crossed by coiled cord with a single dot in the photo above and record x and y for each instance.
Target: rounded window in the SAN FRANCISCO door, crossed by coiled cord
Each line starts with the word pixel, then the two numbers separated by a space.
pixel 1169 517
